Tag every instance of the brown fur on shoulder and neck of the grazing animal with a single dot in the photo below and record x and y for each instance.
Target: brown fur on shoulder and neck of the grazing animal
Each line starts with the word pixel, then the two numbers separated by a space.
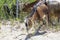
pixel 41 11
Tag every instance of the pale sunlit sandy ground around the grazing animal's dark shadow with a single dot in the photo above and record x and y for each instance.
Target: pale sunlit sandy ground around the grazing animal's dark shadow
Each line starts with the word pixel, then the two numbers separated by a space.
pixel 14 32
